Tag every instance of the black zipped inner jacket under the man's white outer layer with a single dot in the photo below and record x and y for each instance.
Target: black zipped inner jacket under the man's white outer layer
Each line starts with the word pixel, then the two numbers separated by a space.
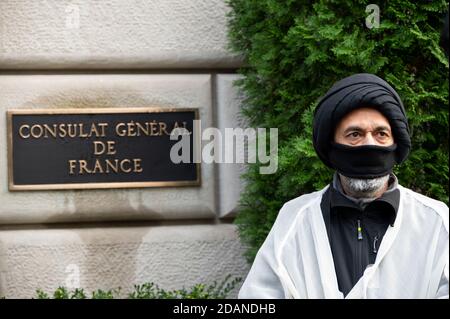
pixel 354 250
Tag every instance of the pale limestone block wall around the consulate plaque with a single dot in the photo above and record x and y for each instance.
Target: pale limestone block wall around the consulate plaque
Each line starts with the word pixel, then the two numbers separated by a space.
pixel 118 54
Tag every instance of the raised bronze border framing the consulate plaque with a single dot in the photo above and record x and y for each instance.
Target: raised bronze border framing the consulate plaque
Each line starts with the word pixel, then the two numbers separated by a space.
pixel 104 185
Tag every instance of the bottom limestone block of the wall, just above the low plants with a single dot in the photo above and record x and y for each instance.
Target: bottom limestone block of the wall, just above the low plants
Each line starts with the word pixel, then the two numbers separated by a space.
pixel 106 258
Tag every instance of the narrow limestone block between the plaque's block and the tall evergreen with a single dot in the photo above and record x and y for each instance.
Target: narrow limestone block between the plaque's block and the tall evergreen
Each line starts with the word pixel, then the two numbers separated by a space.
pixel 228 116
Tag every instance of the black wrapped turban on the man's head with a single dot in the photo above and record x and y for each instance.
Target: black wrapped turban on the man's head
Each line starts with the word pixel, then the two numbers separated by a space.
pixel 360 90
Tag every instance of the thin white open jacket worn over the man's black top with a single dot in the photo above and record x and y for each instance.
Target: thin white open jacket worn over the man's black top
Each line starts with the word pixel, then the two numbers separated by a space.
pixel 295 260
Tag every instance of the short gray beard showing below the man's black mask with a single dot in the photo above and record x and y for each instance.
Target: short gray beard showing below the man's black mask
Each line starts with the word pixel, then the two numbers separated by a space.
pixel 363 188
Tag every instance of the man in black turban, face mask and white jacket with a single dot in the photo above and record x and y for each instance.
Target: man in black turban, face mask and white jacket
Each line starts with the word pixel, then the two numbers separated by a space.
pixel 364 235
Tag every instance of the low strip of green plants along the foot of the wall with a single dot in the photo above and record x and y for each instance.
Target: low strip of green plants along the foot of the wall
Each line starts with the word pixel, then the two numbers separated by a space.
pixel 150 291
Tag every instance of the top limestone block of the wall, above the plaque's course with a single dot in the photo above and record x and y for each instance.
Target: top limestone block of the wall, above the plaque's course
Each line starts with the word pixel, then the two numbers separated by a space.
pixel 113 34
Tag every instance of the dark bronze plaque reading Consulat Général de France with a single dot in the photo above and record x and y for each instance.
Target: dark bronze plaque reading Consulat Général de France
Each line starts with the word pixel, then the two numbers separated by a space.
pixel 98 148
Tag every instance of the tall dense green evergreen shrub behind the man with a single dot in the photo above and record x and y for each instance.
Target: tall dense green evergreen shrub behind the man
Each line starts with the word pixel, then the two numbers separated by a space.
pixel 294 50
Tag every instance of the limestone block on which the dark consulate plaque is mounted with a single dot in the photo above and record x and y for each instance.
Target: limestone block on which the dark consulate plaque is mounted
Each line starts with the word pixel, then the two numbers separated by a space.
pixel 105 91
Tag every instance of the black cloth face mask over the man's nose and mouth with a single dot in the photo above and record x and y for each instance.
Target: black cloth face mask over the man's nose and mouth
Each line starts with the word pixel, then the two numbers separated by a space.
pixel 365 161
